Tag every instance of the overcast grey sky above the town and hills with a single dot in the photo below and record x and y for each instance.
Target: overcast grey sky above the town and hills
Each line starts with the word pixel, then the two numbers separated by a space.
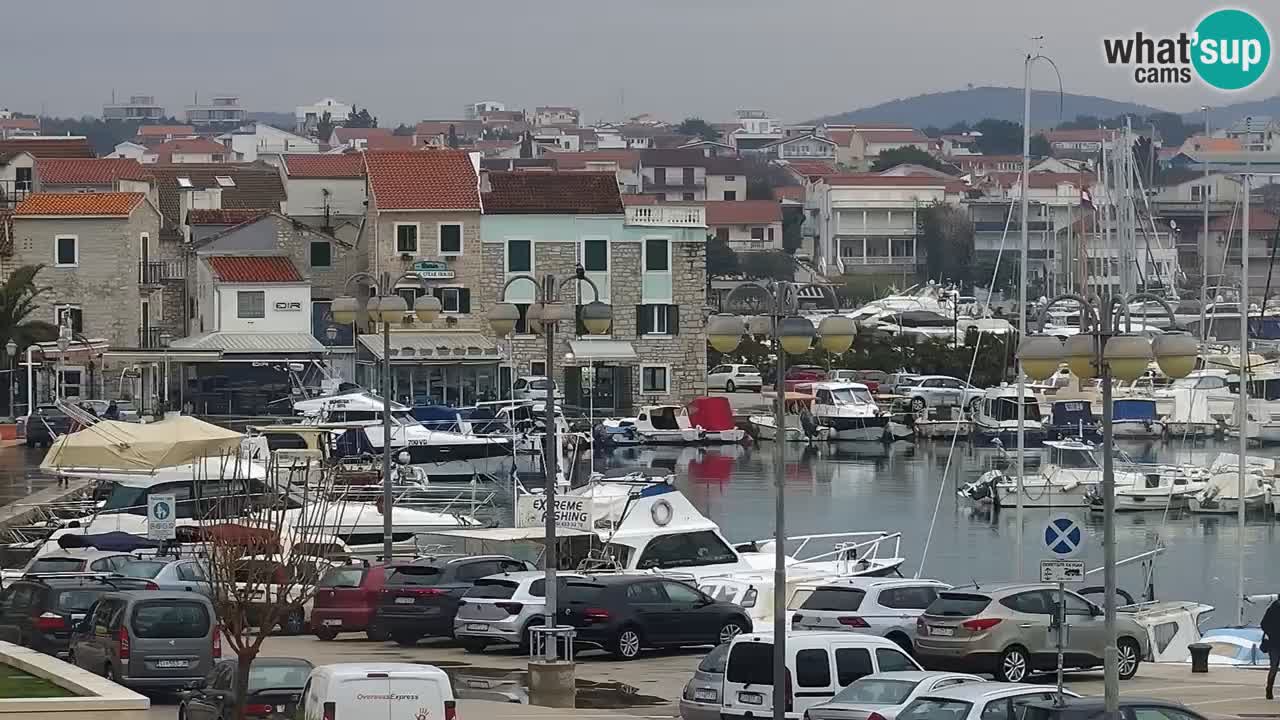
pixel 409 61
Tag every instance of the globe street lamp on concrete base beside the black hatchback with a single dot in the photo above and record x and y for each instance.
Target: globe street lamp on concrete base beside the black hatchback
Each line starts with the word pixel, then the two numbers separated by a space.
pixel 542 318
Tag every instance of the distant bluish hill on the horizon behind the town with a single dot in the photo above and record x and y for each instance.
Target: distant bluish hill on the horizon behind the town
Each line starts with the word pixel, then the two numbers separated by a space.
pixel 945 110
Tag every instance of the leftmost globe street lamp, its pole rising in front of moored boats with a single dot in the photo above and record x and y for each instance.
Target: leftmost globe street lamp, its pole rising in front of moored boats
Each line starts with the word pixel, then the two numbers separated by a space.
pixel 387 308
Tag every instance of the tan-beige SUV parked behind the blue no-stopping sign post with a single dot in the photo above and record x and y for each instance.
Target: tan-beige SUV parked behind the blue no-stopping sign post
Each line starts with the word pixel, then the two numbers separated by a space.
pixel 1005 631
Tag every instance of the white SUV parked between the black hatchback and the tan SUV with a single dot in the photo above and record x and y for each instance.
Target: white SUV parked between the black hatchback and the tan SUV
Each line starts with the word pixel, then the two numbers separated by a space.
pixel 880 607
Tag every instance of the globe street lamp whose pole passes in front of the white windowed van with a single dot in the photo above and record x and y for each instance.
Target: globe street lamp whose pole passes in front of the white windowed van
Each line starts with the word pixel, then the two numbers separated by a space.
pixel 792 335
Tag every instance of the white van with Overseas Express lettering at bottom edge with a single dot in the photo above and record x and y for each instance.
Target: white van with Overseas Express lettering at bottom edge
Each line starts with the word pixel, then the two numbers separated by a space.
pixel 359 691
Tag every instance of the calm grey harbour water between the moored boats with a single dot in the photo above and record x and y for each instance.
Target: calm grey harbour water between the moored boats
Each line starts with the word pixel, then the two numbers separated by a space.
pixel 872 487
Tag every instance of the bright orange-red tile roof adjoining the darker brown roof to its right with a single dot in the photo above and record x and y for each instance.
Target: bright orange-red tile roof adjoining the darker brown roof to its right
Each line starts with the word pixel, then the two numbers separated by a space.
pixel 424 180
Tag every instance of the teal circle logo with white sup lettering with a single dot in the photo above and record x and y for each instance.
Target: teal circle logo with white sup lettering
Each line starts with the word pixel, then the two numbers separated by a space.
pixel 1232 49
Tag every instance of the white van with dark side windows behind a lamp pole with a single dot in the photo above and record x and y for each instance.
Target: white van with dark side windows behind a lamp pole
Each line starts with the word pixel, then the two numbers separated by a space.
pixel 820 664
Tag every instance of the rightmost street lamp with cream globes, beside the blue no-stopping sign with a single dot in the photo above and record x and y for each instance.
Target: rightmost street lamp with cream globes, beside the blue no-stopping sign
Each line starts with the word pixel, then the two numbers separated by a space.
pixel 1105 350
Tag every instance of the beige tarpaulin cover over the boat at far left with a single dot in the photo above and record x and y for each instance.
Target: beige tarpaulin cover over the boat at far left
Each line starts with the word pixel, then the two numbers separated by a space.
pixel 135 446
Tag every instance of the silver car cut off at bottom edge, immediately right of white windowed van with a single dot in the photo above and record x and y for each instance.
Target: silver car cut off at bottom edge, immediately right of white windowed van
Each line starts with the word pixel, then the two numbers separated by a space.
pixel 885 695
